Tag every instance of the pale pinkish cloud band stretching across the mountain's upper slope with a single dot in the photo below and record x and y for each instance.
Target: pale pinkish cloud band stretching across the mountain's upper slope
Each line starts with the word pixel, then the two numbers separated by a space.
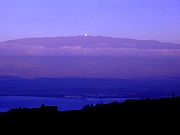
pixel 81 51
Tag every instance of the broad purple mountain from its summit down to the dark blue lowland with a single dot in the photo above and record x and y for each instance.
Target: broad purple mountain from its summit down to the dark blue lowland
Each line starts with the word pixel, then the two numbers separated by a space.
pixel 89 56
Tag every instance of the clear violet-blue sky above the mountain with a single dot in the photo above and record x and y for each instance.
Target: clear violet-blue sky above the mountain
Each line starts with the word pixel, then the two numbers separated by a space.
pixel 141 19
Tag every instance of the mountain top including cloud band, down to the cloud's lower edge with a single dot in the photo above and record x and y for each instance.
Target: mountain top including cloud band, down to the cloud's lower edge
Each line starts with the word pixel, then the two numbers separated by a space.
pixel 90 45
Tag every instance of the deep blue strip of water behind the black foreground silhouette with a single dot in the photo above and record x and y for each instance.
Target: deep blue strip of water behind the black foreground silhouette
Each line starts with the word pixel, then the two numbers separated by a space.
pixel 64 104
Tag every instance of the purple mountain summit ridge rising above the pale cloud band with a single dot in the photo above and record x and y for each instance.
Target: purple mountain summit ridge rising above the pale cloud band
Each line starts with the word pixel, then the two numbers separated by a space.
pixel 91 42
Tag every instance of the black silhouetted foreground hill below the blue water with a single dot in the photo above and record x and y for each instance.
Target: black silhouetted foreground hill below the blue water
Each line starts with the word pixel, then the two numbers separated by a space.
pixel 130 116
